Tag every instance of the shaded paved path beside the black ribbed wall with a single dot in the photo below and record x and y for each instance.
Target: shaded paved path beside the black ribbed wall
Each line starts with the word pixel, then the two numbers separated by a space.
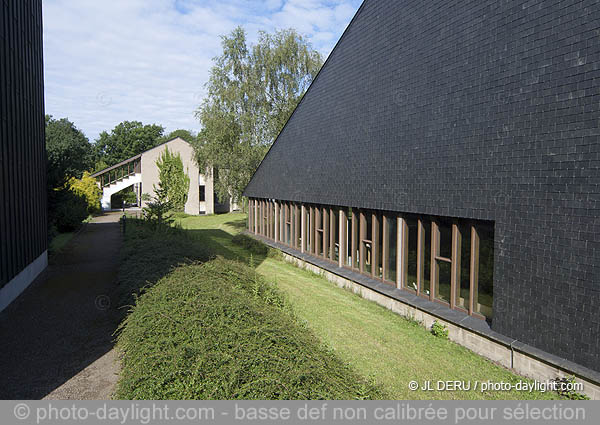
pixel 57 337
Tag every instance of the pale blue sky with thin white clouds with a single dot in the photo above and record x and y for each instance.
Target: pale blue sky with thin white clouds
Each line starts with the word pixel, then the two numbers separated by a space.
pixel 148 60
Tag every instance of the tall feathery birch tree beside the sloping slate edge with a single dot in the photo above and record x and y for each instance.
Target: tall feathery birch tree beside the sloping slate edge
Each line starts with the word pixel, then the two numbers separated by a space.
pixel 252 92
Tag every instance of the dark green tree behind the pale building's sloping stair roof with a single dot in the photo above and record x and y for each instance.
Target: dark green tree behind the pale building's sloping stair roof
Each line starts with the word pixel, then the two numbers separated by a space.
pixel 127 139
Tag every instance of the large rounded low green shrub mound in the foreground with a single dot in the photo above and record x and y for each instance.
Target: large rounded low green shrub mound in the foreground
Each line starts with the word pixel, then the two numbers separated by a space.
pixel 219 331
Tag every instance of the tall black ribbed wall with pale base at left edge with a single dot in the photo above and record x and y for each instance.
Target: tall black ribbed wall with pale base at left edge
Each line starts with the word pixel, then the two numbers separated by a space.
pixel 23 217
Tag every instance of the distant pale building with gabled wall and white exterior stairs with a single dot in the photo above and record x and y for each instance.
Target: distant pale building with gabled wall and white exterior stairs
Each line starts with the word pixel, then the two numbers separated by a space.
pixel 142 173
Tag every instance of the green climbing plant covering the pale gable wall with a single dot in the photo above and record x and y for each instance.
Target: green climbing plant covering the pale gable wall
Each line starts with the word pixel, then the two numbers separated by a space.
pixel 173 181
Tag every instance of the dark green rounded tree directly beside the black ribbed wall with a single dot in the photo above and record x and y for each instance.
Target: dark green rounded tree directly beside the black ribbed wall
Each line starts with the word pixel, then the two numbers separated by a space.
pixel 68 151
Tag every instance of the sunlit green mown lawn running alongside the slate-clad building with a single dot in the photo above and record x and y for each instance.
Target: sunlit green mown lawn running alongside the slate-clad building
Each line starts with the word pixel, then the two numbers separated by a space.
pixel 377 343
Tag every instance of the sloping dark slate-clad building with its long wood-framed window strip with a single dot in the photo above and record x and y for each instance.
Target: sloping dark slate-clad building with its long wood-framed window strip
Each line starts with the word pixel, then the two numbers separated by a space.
pixel 452 151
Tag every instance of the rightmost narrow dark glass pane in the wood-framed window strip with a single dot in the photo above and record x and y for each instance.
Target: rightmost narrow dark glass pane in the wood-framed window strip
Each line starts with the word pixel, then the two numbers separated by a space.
pixel 486 270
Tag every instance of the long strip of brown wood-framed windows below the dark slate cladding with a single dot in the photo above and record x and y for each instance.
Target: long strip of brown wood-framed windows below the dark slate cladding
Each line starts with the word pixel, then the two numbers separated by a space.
pixel 447 260
